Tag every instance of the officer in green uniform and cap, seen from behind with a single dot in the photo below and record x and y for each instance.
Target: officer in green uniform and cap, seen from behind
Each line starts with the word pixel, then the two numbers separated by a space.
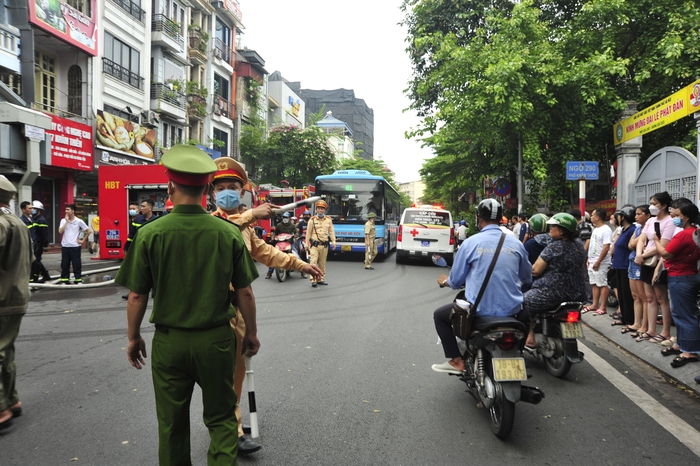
pixel 193 341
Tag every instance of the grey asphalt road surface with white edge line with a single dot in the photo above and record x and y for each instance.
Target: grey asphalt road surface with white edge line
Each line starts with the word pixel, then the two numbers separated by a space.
pixel 343 378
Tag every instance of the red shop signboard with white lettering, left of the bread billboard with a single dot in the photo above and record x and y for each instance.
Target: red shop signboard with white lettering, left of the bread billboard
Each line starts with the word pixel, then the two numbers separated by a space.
pixel 71 144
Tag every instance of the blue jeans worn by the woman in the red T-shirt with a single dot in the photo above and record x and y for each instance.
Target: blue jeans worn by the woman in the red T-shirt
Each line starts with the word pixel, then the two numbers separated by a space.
pixel 684 290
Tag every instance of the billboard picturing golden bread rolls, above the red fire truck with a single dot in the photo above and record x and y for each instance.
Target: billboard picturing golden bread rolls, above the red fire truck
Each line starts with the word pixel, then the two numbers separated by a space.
pixel 119 136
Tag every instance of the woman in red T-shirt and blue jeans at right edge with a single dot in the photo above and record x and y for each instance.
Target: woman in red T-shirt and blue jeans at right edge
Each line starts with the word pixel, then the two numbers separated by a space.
pixel 681 257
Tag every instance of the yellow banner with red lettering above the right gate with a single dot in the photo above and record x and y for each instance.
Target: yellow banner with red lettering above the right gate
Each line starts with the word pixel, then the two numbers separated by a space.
pixel 662 113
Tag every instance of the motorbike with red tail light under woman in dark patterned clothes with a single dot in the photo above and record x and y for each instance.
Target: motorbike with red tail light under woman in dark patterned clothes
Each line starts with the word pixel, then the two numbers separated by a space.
pixel 556 331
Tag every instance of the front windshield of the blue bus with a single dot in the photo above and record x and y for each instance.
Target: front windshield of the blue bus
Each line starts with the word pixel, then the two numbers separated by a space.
pixel 352 200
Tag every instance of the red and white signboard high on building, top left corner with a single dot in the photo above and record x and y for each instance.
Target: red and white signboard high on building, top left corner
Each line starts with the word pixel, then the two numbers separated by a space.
pixel 66 22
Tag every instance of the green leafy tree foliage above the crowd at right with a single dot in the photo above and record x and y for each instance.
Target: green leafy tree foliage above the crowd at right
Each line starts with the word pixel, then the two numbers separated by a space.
pixel 550 75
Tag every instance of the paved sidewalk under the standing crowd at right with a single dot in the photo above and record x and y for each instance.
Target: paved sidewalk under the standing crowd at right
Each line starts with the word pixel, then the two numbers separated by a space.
pixel 644 350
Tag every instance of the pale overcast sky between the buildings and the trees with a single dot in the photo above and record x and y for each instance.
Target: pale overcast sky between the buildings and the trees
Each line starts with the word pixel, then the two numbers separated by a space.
pixel 354 45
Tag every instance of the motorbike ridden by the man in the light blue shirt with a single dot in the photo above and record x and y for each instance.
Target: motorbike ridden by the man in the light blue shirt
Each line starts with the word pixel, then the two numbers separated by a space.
pixel 495 367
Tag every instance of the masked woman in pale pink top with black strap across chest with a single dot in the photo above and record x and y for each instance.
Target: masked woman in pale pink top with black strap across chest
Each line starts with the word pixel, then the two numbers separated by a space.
pixel 656 293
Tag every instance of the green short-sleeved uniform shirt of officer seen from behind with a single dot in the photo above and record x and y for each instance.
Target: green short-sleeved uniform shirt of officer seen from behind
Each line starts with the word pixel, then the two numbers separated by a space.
pixel 189 257
